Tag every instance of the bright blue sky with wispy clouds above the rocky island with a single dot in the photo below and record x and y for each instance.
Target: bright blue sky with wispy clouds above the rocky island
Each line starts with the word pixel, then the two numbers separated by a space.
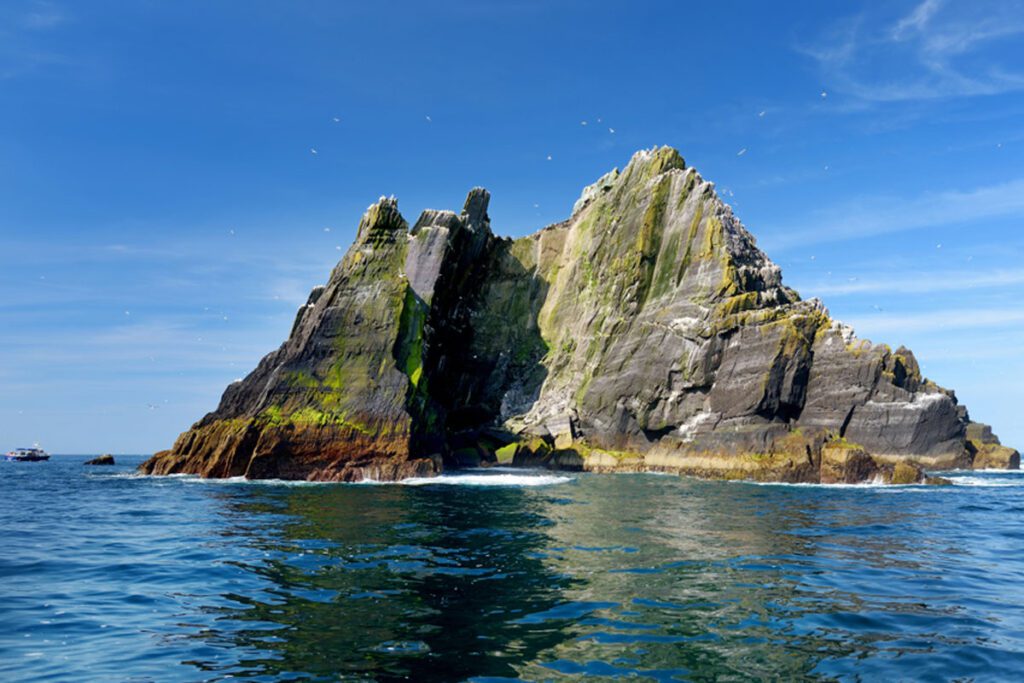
pixel 162 212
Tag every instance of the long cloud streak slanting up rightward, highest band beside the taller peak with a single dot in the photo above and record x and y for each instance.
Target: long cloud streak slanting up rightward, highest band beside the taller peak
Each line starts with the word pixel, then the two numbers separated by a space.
pixel 894 215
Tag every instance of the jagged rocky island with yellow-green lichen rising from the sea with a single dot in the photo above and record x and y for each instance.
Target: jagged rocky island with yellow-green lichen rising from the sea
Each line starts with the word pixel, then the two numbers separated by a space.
pixel 647 332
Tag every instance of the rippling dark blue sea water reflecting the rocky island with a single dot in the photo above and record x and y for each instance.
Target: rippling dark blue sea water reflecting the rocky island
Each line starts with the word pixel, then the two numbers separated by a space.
pixel 496 576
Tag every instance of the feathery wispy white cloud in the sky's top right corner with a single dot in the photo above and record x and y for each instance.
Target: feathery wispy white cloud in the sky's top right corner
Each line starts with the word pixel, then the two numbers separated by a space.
pixel 933 52
